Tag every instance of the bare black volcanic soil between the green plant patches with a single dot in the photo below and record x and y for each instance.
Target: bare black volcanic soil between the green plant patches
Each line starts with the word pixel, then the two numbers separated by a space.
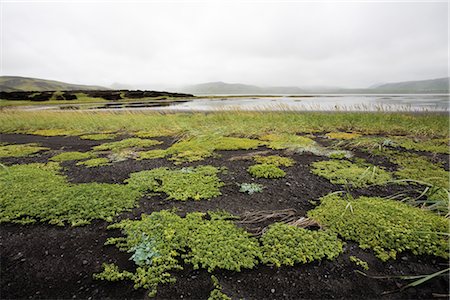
pixel 48 262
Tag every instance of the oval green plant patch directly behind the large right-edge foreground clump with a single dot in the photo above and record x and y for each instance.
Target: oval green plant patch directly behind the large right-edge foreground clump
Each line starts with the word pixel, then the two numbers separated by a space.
pixel 345 172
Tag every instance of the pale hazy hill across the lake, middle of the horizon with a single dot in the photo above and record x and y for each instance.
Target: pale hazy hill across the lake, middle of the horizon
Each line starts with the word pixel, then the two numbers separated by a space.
pixel 214 88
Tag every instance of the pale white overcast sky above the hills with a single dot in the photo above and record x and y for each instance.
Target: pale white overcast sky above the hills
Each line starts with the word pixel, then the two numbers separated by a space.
pixel 349 44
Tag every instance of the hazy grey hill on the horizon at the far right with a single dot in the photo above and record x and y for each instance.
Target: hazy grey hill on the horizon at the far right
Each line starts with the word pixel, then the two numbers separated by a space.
pixel 439 85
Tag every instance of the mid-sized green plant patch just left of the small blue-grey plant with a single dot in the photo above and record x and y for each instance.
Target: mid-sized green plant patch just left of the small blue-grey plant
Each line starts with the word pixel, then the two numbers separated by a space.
pixel 182 184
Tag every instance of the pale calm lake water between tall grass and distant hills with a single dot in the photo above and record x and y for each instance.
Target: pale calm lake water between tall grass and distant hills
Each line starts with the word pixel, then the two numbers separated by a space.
pixel 321 102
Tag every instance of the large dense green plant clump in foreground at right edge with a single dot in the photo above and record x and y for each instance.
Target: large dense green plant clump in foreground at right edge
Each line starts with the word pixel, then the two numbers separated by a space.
pixel 386 226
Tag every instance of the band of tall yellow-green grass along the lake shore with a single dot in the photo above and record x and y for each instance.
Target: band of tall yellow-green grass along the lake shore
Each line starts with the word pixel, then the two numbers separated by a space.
pixel 228 123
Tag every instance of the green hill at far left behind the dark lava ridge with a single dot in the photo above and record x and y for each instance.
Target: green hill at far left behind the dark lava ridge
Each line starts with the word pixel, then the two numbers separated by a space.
pixel 16 83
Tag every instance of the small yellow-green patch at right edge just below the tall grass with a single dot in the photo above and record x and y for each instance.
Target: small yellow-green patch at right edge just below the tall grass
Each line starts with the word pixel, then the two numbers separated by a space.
pixel 428 145
